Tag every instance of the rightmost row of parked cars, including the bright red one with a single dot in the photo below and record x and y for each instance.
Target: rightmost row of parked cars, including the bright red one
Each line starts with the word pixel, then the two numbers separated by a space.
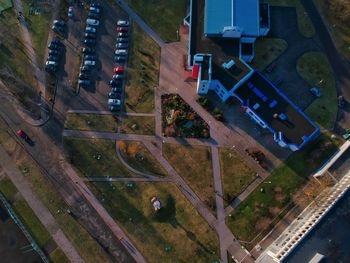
pixel 121 52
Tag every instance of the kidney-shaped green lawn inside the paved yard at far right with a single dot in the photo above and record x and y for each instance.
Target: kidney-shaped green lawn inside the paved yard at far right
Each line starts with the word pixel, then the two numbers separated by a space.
pixel 315 69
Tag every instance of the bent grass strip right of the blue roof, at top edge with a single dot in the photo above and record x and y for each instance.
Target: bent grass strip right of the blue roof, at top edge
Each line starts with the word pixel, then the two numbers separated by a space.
pixel 305 25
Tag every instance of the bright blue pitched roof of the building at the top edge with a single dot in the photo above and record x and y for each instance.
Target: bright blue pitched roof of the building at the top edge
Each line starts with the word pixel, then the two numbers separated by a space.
pixel 242 14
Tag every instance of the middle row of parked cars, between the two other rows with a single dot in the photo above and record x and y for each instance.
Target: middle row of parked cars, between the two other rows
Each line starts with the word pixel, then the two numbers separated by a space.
pixel 89 41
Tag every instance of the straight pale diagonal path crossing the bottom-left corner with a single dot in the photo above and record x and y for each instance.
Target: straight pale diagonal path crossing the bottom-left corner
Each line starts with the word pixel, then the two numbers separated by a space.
pixel 38 207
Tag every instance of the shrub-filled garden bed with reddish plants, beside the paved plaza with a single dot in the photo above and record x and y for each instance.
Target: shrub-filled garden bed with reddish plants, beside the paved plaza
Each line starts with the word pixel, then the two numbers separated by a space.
pixel 180 120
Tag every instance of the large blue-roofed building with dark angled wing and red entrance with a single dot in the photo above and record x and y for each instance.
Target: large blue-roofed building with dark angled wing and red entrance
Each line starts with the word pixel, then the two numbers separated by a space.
pixel 220 34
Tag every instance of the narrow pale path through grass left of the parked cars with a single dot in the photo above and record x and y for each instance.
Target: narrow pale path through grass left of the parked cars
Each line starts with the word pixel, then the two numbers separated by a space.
pixel 38 73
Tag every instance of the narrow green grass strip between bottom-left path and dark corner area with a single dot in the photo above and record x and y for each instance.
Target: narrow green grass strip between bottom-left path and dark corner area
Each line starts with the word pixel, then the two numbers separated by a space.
pixel 32 222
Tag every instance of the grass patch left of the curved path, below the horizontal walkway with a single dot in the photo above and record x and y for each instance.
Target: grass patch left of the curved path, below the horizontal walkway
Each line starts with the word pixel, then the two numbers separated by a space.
pixel 95 157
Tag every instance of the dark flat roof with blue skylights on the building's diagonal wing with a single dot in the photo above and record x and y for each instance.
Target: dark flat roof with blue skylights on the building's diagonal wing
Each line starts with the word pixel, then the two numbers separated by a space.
pixel 259 93
